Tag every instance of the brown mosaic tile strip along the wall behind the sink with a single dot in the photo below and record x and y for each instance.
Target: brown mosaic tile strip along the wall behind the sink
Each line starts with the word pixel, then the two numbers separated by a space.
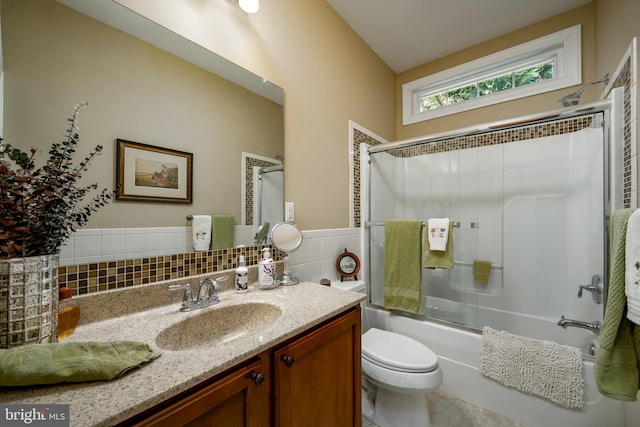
pixel 102 276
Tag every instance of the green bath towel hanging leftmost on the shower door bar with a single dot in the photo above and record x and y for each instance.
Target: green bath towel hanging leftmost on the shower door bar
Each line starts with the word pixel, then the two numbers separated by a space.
pixel 402 270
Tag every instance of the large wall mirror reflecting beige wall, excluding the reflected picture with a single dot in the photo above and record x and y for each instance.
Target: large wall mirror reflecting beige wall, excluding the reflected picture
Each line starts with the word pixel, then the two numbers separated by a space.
pixel 145 84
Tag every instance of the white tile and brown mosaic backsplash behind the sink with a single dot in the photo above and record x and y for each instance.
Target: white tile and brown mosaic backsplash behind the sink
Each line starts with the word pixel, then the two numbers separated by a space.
pixel 96 260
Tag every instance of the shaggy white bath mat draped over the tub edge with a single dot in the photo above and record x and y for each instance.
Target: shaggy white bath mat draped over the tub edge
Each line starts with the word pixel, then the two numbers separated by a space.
pixel 542 368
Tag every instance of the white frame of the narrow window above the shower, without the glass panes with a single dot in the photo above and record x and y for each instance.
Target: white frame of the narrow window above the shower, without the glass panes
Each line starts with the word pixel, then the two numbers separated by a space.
pixel 564 46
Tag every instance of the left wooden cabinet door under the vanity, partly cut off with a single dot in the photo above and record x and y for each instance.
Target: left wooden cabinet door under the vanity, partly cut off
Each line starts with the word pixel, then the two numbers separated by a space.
pixel 239 399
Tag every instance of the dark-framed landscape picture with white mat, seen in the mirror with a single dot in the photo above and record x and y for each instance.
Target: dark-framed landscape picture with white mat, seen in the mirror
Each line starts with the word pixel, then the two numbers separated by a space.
pixel 153 174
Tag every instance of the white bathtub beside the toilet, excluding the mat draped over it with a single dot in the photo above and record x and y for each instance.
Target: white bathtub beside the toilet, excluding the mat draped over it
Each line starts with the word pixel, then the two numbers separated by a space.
pixel 457 350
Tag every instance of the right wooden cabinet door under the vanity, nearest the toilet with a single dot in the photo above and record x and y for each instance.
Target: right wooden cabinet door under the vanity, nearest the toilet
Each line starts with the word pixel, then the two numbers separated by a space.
pixel 317 377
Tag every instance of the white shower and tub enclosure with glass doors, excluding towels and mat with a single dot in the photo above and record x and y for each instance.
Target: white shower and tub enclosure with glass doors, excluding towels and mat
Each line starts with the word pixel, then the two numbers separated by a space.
pixel 531 200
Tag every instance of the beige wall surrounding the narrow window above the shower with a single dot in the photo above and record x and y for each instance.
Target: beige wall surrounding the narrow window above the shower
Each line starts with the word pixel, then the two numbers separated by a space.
pixel 548 101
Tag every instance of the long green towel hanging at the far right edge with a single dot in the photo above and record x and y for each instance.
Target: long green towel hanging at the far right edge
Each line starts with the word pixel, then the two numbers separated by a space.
pixel 617 363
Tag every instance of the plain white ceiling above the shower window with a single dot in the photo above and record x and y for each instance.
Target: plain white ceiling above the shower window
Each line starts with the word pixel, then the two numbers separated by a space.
pixel 408 33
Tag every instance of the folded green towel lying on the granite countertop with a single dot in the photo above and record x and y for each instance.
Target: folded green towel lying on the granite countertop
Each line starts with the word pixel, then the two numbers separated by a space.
pixel 72 362
